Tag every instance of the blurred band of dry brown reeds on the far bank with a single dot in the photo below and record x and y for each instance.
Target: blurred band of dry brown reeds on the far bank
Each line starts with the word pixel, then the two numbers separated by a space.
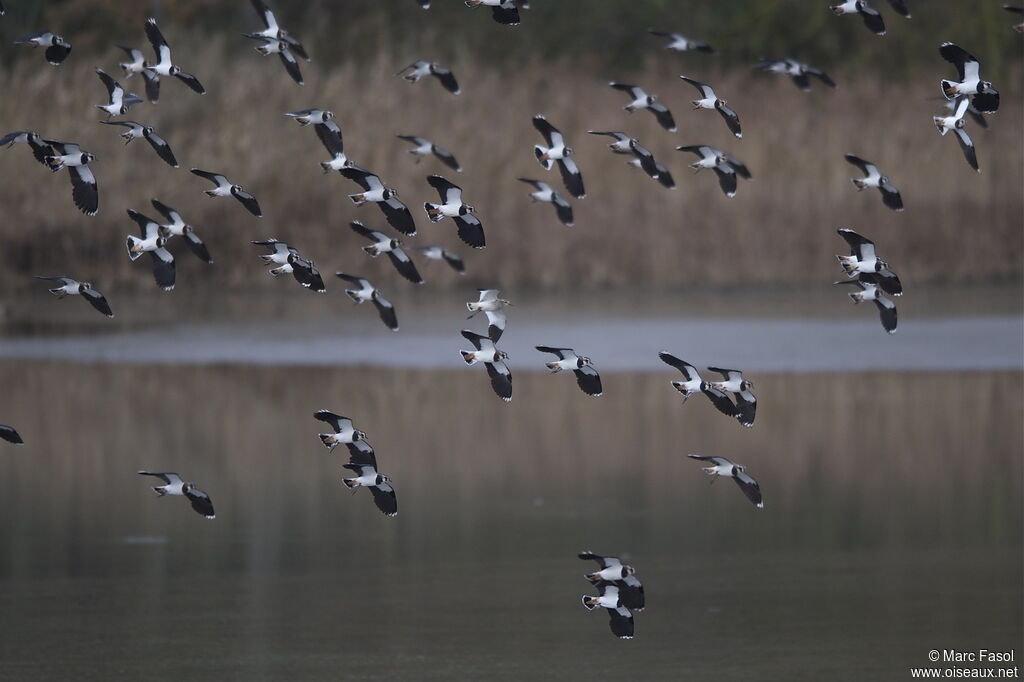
pixel 779 230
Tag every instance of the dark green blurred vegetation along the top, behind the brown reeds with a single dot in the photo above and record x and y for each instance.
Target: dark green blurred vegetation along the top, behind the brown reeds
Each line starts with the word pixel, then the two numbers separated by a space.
pixel 609 33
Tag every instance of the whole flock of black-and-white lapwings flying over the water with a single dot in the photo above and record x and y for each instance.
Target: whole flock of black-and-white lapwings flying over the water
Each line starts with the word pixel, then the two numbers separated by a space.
pixel 620 592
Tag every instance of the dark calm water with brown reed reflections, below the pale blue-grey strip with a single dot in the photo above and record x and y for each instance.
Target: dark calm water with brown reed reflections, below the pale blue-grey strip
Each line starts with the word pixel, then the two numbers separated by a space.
pixel 892 527
